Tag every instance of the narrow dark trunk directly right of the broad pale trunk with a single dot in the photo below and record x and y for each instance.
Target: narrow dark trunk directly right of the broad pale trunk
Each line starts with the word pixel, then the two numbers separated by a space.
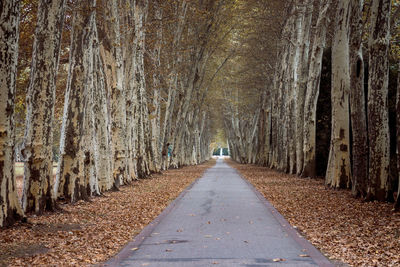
pixel 357 103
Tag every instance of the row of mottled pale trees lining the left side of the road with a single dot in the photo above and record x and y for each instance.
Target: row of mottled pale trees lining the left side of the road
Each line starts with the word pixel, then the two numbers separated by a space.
pixel 131 104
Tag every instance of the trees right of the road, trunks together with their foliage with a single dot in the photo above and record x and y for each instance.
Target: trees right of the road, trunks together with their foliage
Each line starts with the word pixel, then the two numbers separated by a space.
pixel 333 67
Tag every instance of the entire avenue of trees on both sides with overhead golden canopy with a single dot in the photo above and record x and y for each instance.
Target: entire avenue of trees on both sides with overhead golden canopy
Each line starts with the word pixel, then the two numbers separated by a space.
pixel 96 94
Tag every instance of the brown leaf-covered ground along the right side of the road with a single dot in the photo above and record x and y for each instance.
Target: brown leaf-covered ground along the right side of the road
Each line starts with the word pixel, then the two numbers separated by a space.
pixel 342 227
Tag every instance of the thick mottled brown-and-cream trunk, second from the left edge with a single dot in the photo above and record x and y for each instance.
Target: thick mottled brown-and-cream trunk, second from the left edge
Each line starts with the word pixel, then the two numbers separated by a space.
pixel 38 153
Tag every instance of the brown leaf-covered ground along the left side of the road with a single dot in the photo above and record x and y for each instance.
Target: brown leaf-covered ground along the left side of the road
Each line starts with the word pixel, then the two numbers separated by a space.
pixel 86 233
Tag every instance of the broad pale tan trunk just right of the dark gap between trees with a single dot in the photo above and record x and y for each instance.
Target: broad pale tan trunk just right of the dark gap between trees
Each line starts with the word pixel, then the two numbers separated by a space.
pixel 338 171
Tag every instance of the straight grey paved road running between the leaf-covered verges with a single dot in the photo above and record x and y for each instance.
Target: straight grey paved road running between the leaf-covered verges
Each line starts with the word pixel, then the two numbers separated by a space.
pixel 220 221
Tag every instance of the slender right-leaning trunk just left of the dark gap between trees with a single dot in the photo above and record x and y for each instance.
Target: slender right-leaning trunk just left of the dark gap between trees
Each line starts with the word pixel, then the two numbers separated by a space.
pixel 312 91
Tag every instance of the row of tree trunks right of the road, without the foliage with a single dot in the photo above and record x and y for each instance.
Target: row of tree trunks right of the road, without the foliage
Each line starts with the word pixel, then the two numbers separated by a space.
pixel 283 129
